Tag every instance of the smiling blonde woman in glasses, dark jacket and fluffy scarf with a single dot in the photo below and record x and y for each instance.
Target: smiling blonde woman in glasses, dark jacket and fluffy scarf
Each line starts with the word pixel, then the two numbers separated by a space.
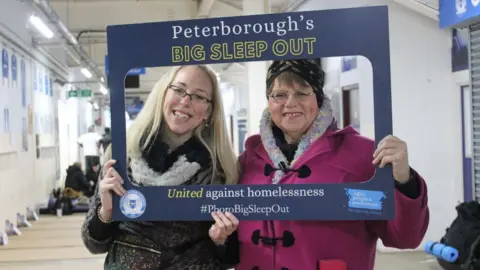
pixel 179 138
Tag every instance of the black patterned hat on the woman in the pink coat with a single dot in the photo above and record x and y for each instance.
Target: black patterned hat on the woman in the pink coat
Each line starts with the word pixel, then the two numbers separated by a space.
pixel 307 69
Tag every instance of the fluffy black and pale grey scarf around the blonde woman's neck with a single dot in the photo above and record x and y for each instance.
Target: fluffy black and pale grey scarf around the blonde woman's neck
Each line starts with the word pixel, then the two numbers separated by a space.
pixel 156 167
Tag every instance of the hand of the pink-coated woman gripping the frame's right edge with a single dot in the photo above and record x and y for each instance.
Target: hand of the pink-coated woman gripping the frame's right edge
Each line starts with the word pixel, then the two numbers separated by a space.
pixel 394 151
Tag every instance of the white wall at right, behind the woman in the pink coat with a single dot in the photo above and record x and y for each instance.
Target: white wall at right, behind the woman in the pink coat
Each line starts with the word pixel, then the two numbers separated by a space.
pixel 425 99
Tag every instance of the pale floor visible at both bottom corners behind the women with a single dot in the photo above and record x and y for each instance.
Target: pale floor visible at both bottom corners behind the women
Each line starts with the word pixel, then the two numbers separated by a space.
pixel 55 244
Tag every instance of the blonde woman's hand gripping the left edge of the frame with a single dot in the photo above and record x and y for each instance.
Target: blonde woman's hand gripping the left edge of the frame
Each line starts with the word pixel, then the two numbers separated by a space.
pixel 111 182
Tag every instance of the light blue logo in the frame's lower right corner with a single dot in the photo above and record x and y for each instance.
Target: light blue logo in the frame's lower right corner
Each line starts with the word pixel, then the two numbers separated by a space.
pixel 365 199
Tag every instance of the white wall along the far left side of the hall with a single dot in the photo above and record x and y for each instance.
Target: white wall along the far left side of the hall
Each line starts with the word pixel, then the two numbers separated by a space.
pixel 25 180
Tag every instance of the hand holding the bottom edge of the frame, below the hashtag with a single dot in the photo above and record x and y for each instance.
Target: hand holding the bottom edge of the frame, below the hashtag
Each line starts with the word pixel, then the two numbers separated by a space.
pixel 225 224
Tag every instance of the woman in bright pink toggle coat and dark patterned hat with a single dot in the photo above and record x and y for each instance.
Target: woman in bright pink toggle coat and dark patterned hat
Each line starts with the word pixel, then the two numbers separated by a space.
pixel 298 129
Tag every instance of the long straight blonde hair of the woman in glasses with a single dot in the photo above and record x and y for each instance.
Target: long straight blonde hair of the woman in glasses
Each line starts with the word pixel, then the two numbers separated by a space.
pixel 147 124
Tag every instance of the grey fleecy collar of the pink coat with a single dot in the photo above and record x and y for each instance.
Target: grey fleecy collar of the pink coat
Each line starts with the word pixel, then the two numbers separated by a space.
pixel 320 125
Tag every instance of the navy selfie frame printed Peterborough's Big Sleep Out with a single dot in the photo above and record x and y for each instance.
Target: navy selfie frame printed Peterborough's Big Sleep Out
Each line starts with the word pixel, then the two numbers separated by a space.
pixel 340 32
